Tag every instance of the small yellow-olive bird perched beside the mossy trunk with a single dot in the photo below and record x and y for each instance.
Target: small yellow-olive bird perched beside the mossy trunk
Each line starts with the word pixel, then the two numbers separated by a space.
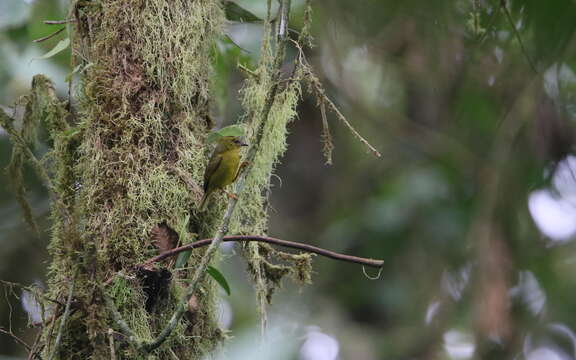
pixel 222 169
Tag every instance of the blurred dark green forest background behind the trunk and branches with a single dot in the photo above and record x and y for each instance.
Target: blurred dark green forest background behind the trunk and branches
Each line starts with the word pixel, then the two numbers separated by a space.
pixel 469 131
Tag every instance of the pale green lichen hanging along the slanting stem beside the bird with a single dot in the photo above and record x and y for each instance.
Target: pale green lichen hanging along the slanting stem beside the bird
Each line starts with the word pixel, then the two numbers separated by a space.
pixel 251 216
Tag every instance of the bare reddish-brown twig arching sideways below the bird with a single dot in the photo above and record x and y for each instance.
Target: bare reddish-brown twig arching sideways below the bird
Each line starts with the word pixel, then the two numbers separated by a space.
pixel 285 243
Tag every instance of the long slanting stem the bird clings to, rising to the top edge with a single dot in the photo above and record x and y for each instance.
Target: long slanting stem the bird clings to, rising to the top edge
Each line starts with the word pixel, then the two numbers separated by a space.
pixel 200 272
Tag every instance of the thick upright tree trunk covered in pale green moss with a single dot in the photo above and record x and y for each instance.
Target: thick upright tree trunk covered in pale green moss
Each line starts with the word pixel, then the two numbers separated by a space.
pixel 132 162
